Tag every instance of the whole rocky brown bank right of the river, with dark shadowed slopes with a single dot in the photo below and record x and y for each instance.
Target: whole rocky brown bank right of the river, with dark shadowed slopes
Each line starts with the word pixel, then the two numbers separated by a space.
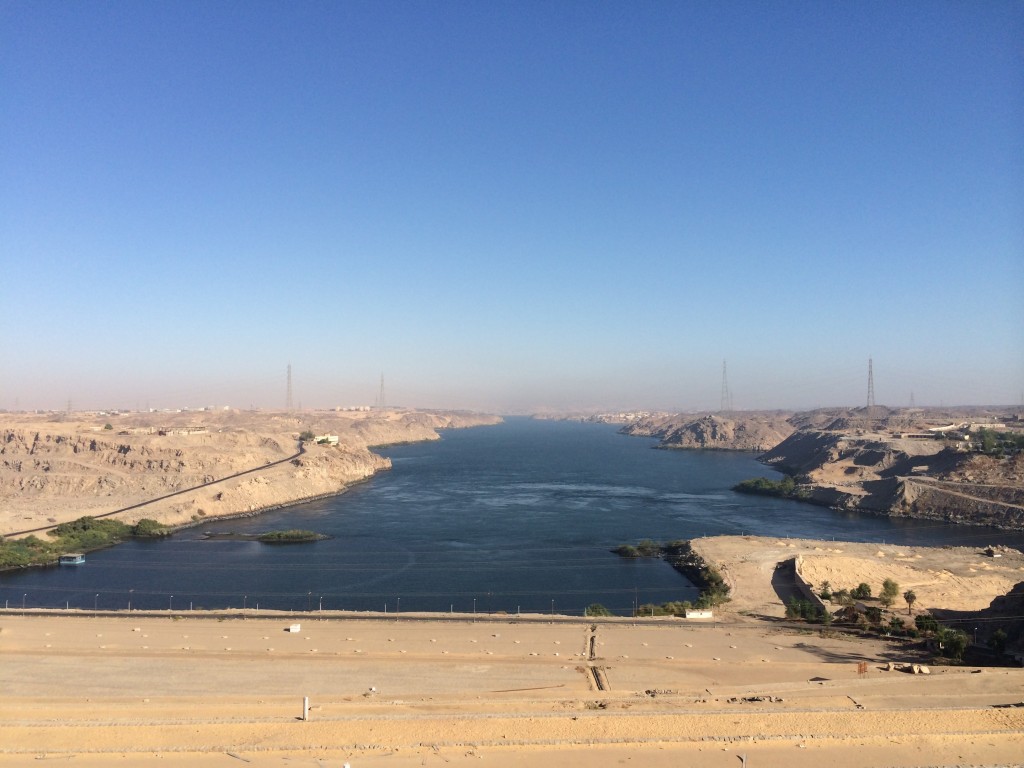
pixel 923 463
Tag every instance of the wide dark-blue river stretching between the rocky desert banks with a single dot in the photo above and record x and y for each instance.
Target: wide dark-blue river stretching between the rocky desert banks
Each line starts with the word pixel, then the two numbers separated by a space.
pixel 520 517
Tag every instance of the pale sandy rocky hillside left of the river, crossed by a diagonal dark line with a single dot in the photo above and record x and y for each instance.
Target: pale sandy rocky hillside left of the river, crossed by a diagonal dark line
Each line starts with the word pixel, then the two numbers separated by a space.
pixel 181 468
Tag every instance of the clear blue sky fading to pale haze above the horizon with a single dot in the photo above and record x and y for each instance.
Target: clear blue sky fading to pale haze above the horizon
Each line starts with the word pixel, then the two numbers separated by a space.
pixel 511 206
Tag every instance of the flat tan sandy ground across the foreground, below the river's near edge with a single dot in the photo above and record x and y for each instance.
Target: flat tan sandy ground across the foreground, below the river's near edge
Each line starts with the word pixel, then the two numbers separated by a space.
pixel 214 692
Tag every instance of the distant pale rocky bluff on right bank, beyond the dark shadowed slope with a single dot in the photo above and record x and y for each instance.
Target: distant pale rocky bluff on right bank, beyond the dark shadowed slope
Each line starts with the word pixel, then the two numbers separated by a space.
pixel 724 433
